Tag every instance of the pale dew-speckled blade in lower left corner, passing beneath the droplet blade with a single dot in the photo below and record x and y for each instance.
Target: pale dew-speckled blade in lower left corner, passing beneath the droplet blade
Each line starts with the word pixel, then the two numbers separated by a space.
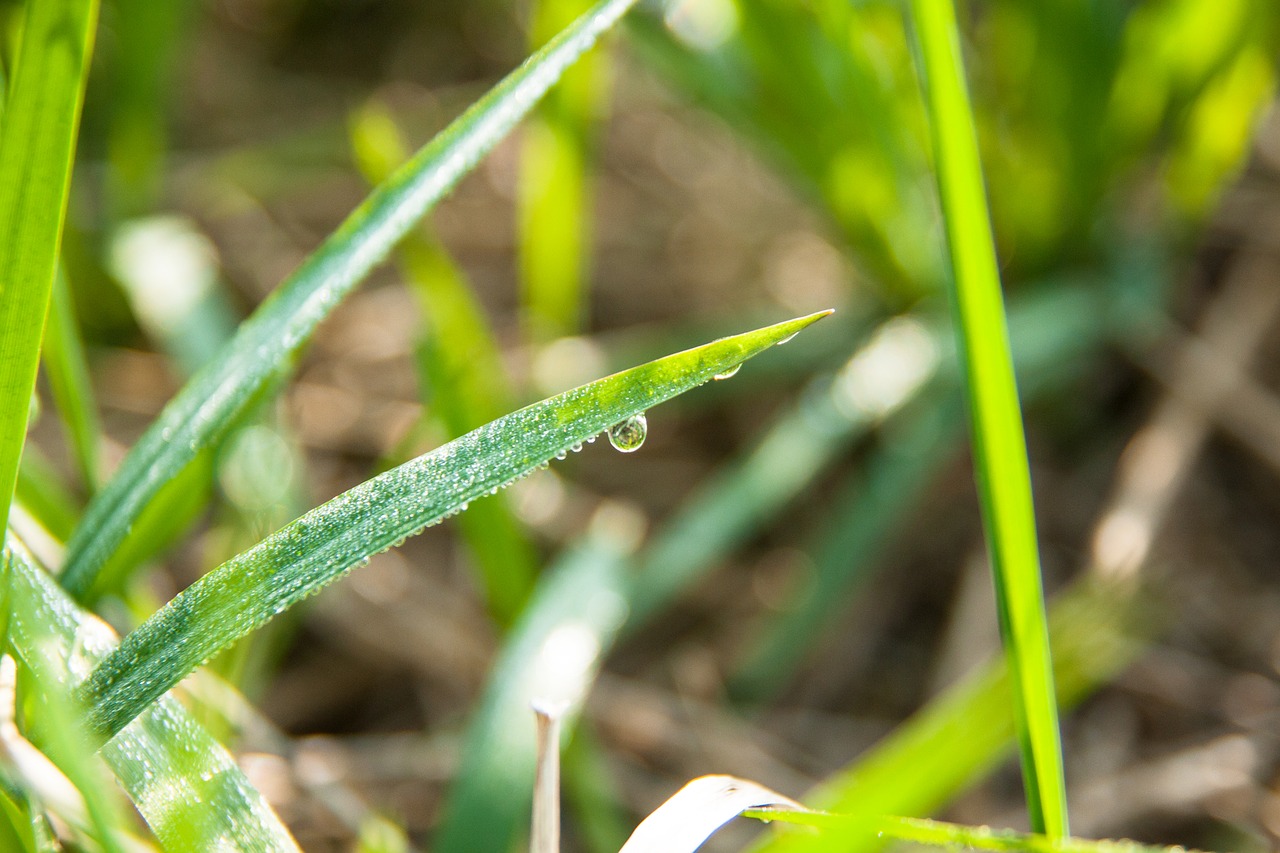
pixel 185 784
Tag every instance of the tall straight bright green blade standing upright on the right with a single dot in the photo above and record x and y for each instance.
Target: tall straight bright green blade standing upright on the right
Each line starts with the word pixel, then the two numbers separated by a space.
pixel 1000 446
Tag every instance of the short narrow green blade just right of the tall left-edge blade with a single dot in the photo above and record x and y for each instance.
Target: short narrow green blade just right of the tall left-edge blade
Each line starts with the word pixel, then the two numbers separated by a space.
pixel 68 380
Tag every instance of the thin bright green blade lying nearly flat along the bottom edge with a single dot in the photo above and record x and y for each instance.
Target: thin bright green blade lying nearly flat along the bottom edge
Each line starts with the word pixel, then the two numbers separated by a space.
pixel 953 837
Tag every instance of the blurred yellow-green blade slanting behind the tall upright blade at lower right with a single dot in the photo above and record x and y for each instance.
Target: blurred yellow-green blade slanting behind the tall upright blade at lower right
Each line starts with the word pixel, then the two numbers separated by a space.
pixel 959 737
